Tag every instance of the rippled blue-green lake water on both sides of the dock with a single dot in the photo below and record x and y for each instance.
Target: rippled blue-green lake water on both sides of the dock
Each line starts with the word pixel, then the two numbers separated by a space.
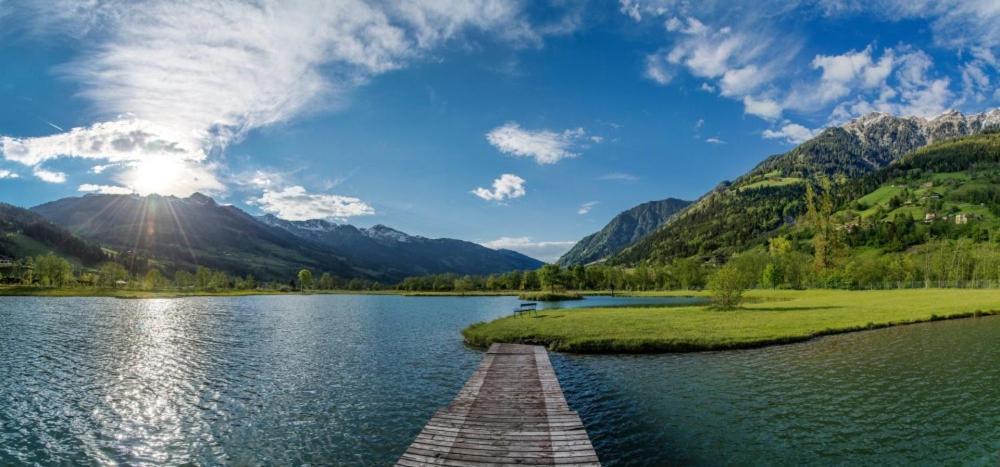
pixel 350 380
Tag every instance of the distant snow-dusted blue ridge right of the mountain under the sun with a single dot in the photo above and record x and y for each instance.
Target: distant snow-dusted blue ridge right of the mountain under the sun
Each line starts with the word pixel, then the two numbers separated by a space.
pixel 390 252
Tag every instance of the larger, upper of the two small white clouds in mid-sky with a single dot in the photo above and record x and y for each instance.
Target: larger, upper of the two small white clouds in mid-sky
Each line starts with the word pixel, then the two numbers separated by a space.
pixel 545 146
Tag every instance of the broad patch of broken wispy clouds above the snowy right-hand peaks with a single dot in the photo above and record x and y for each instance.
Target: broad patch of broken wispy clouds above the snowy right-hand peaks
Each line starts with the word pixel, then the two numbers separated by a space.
pixel 730 47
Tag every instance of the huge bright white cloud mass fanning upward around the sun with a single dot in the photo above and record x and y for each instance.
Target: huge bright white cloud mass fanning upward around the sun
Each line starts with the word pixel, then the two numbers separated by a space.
pixel 193 77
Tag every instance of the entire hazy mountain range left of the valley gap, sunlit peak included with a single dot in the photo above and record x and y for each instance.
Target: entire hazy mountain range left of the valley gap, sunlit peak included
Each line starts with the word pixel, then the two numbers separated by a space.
pixel 196 231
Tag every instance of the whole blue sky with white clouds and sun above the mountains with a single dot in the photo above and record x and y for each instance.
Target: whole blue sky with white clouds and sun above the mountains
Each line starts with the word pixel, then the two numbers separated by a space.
pixel 516 124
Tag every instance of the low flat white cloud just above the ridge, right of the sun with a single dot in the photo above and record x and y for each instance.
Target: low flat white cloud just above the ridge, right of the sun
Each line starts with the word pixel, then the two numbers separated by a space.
pixel 294 203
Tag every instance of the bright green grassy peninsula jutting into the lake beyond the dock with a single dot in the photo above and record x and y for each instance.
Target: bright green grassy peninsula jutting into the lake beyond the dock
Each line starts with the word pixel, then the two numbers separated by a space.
pixel 769 317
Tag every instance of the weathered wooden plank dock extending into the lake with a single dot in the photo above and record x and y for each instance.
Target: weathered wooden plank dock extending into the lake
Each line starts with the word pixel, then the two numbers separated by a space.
pixel 510 412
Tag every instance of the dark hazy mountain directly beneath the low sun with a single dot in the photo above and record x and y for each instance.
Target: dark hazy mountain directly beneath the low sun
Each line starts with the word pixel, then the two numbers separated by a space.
pixel 189 232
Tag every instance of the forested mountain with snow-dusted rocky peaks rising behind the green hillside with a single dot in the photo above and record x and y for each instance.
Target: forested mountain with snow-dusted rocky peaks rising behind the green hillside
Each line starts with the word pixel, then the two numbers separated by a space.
pixel 744 212
